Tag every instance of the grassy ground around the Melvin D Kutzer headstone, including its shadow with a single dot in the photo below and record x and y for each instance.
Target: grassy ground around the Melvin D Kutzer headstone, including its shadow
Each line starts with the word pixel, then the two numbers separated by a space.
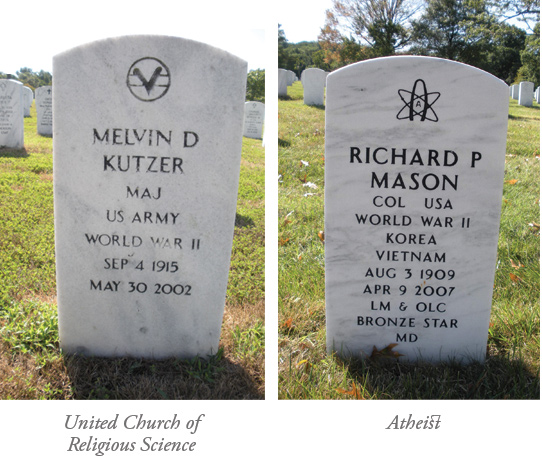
pixel 32 365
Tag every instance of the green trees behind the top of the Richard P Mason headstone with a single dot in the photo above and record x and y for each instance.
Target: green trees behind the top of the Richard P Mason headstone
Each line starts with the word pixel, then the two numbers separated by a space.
pixel 501 37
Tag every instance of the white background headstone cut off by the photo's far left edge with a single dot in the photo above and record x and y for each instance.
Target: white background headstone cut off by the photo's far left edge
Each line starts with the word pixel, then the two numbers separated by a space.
pixel 11 114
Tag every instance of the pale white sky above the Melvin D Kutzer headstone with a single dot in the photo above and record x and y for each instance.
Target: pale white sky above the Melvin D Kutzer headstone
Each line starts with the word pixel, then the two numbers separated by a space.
pixel 34 31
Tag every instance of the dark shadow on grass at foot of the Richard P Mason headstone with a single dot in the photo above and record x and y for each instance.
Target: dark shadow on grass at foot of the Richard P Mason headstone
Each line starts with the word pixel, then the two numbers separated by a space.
pixel 497 378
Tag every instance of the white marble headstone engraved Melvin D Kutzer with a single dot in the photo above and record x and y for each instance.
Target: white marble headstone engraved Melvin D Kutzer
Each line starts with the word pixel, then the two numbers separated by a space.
pixel 147 149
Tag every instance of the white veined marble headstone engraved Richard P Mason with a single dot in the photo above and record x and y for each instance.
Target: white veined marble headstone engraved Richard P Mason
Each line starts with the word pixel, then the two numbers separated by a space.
pixel 414 172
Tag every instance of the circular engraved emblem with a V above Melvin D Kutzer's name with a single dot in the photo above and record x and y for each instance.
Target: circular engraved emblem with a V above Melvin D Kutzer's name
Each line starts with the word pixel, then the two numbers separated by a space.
pixel 148 79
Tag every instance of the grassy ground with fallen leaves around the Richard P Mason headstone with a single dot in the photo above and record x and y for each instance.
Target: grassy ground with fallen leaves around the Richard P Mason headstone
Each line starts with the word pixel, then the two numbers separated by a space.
pixel 306 371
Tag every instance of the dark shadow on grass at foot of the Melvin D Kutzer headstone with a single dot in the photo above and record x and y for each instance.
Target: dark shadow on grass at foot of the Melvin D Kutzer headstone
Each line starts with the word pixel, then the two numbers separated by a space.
pixel 172 379
